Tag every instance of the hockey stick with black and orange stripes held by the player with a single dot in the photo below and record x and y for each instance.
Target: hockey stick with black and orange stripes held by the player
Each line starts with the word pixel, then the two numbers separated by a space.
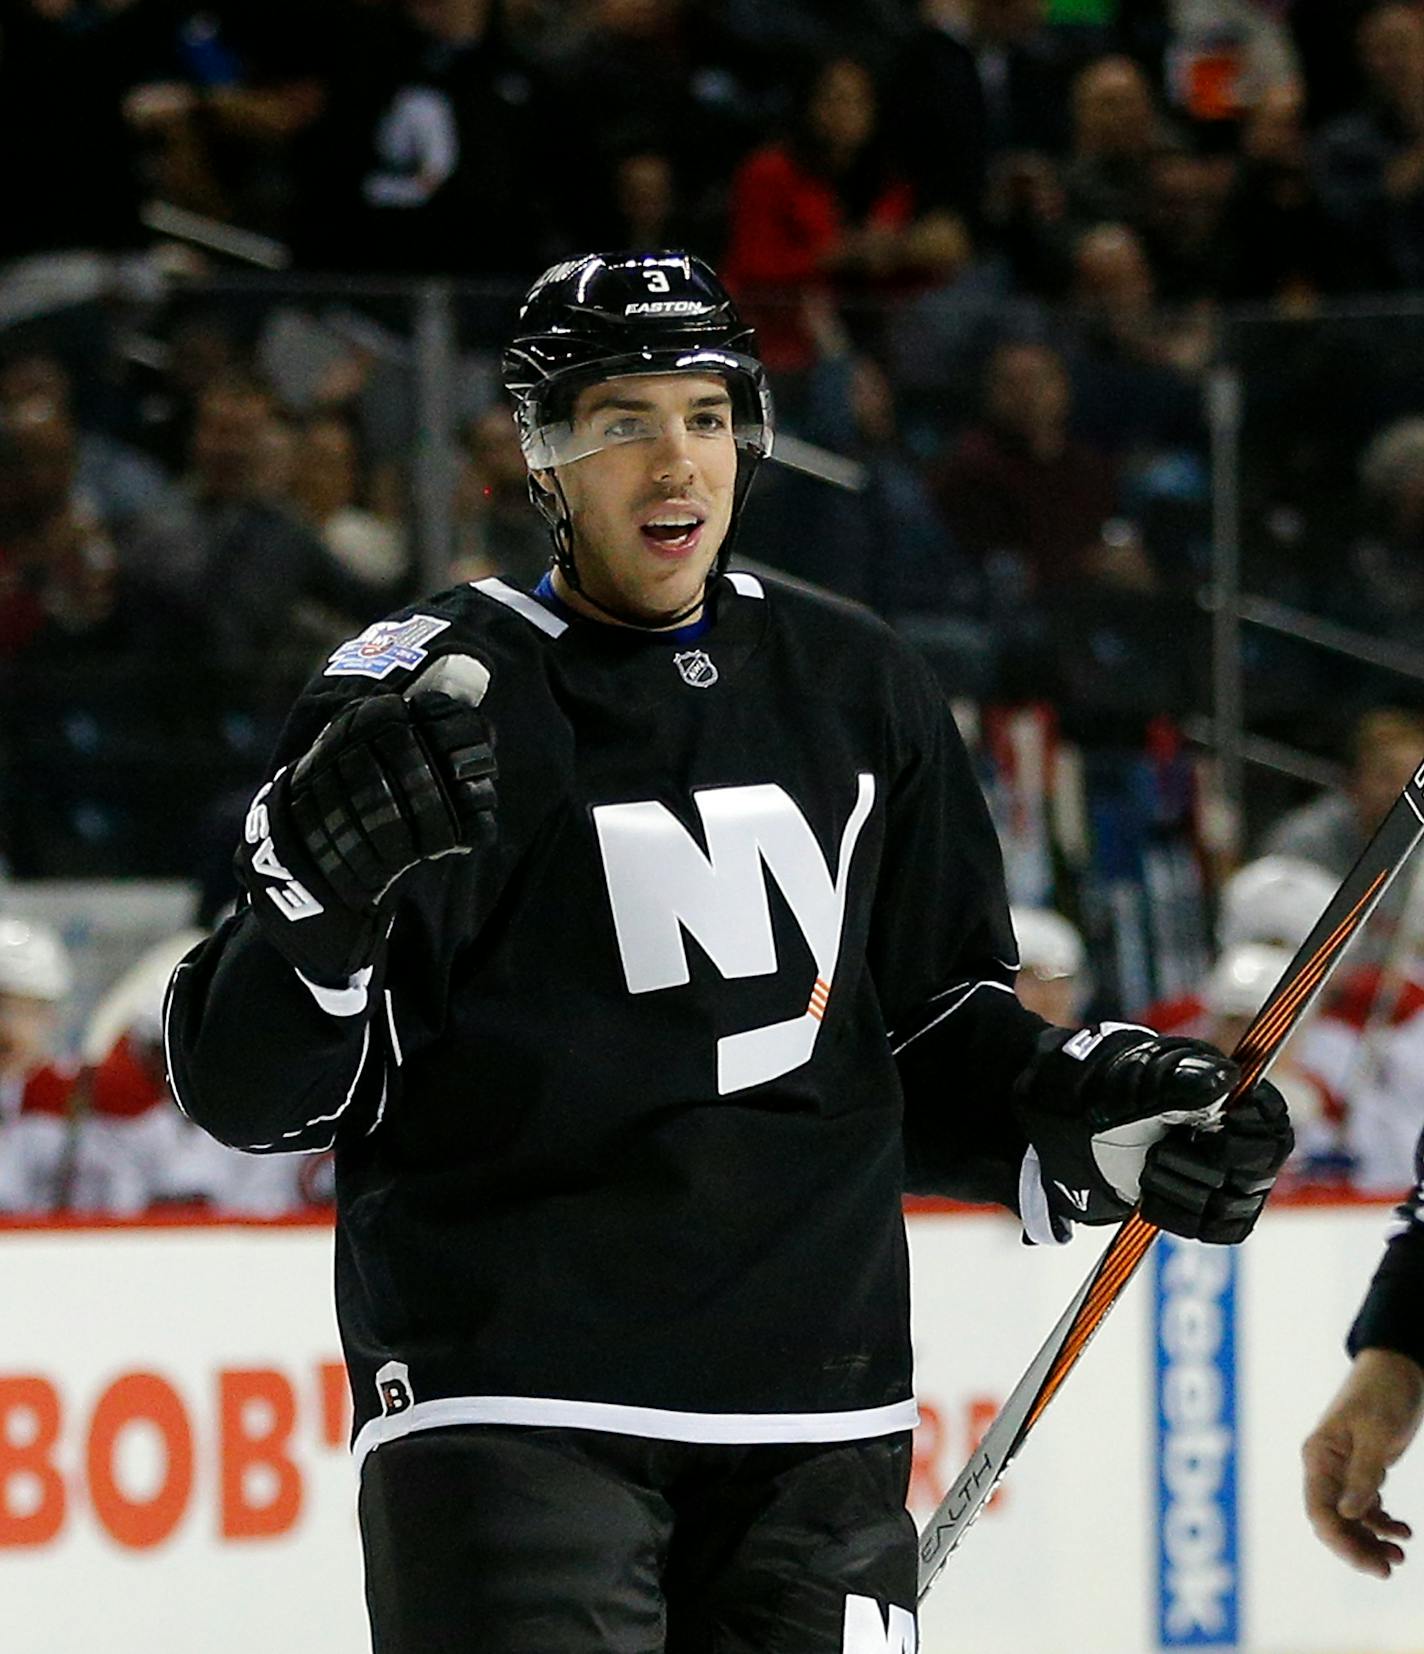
pixel 1302 980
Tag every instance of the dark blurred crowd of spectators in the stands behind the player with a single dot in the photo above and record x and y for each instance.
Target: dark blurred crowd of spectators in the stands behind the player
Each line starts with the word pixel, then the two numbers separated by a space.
pixel 996 252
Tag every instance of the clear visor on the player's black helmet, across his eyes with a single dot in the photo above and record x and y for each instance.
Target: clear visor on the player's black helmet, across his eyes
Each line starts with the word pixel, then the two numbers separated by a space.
pixel 561 442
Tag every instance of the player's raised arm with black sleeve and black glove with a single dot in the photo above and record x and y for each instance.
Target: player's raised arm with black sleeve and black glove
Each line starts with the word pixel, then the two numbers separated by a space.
pixel 270 1025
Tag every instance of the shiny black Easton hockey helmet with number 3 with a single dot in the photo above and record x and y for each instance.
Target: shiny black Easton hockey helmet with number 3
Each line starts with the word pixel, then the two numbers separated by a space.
pixel 613 315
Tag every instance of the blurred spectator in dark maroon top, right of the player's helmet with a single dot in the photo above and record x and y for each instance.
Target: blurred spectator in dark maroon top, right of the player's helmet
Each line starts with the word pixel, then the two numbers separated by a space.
pixel 1018 490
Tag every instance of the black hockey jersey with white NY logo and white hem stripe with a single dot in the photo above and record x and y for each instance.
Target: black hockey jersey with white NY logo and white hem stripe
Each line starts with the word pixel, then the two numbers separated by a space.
pixel 626 1107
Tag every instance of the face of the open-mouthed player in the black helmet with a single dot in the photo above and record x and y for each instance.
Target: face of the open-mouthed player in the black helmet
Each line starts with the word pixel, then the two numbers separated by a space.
pixel 652 509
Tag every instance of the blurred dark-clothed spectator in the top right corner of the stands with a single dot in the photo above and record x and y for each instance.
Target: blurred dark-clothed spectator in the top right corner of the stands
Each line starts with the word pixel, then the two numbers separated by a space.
pixel 1372 161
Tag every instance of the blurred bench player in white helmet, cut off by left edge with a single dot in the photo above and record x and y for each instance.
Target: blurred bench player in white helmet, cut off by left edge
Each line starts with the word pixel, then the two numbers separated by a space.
pixel 36 982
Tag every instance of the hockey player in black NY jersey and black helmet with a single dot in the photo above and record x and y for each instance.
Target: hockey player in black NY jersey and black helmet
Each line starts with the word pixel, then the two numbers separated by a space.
pixel 628 1079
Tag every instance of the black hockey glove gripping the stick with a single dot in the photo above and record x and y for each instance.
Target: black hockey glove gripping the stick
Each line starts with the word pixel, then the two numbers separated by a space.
pixel 1124 1117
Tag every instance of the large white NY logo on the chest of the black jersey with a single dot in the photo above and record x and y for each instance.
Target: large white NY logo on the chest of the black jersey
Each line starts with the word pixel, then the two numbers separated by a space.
pixel 661 884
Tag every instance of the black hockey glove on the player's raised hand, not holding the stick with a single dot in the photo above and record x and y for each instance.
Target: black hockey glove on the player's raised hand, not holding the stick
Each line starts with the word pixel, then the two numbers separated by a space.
pixel 388 785
